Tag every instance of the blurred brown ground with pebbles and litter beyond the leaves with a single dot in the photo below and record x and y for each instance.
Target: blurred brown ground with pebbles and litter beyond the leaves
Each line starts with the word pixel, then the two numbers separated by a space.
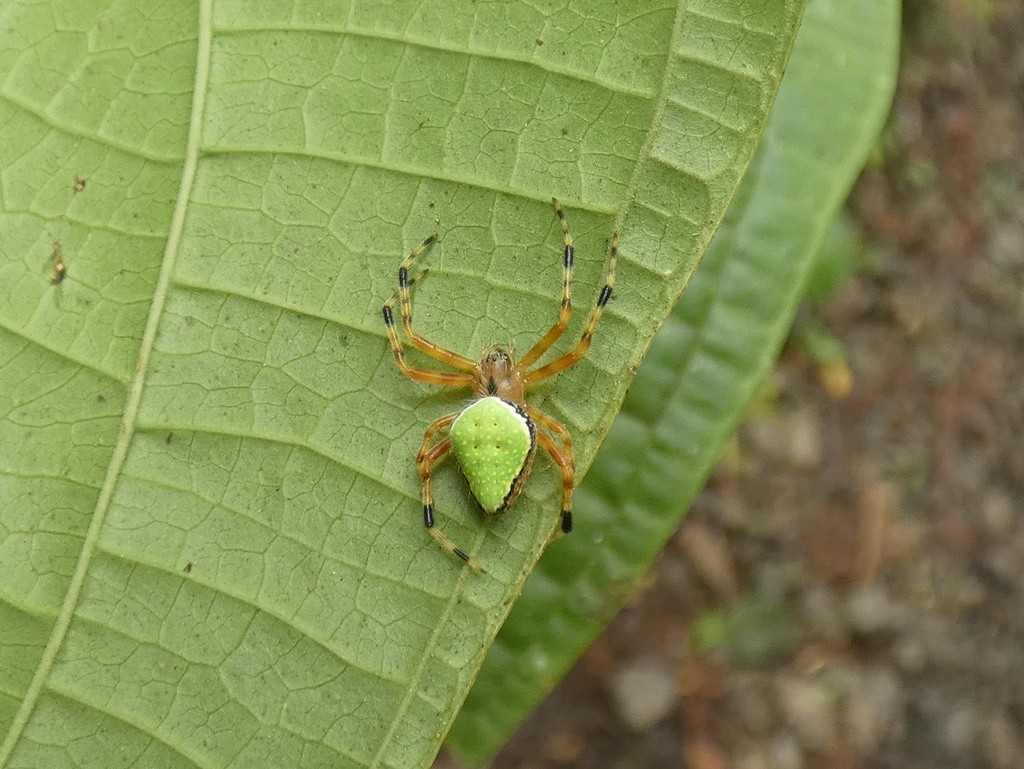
pixel 849 589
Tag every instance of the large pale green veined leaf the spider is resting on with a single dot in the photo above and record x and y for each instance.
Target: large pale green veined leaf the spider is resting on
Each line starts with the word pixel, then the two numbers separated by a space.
pixel 209 518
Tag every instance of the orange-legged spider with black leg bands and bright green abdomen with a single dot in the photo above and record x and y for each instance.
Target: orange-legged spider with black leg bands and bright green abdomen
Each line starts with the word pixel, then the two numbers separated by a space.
pixel 495 437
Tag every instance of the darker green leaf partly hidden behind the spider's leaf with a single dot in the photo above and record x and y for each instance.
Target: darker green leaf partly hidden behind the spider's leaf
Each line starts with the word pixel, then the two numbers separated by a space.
pixel 705 365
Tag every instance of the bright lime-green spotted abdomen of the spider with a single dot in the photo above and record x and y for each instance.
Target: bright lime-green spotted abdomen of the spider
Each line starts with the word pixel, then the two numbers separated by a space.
pixel 495 443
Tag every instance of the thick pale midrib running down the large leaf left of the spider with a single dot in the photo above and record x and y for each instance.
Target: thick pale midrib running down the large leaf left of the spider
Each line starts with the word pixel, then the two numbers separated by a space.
pixel 136 386
